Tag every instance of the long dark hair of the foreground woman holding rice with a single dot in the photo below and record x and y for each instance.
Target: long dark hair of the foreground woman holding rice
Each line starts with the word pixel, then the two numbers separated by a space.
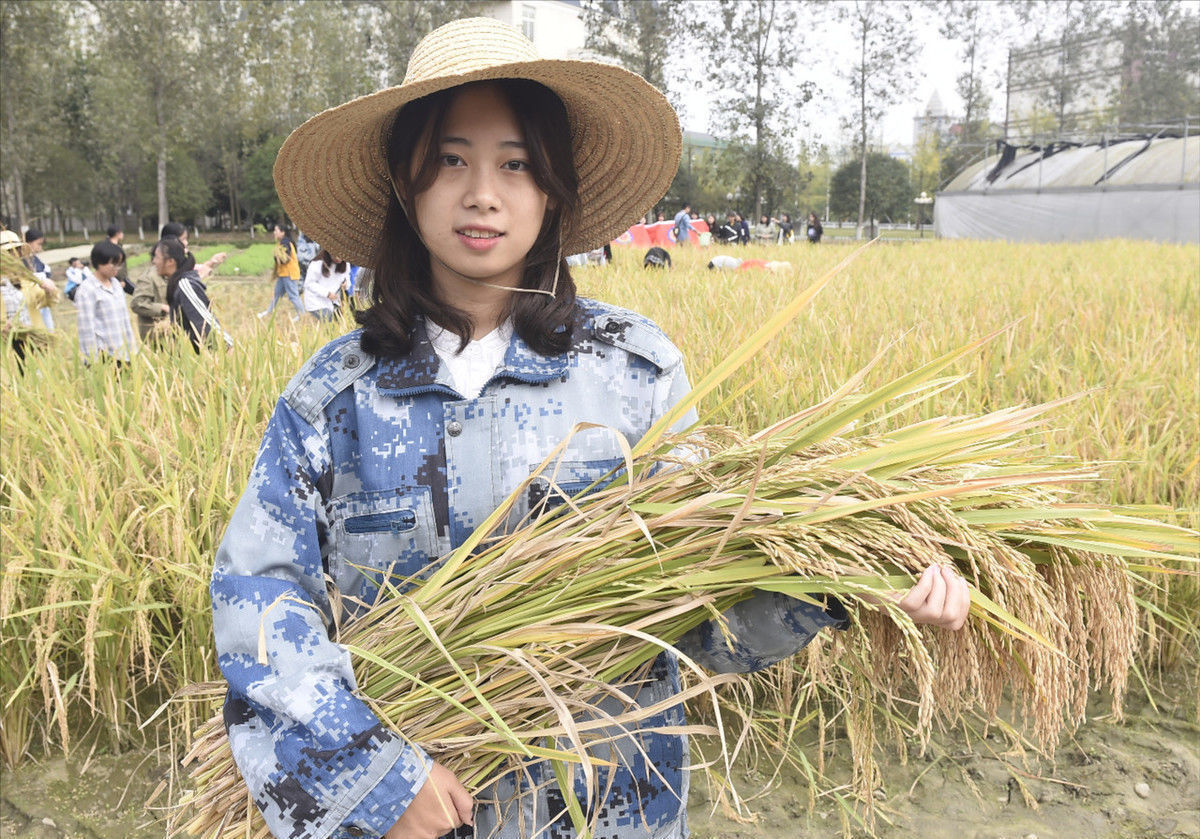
pixel 403 287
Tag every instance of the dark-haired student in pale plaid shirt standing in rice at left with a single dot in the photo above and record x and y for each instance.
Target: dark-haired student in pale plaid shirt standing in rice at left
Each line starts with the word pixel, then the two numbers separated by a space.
pixel 105 327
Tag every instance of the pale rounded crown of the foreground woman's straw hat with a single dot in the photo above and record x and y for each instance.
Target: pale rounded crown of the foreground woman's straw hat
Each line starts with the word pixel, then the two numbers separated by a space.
pixel 467 46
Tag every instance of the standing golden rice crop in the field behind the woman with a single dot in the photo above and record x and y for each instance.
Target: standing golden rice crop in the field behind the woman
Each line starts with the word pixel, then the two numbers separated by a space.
pixel 115 489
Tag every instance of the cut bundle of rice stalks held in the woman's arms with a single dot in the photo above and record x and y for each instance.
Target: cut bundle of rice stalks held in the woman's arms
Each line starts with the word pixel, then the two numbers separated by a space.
pixel 503 655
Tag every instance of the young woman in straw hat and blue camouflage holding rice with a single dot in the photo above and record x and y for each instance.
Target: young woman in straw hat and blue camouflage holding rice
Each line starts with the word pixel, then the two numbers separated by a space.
pixel 461 189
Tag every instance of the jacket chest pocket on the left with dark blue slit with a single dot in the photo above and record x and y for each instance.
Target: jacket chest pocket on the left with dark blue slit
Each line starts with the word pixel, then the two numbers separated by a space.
pixel 381 532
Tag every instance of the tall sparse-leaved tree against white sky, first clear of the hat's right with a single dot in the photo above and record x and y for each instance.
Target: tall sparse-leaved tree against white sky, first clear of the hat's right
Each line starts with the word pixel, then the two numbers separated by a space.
pixel 757 44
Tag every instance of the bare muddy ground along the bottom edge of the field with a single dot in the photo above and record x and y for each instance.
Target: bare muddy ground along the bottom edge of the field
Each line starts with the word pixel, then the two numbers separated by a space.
pixel 1138 780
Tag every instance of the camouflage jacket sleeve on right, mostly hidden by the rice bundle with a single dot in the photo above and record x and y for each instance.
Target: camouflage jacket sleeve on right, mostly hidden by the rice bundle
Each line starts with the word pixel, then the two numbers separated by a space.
pixel 765 630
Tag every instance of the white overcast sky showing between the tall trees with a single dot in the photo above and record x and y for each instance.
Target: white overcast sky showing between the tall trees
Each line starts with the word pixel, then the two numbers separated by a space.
pixel 937 69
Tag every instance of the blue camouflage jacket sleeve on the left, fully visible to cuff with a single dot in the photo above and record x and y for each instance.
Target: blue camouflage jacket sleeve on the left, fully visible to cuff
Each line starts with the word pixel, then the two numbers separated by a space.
pixel 315 758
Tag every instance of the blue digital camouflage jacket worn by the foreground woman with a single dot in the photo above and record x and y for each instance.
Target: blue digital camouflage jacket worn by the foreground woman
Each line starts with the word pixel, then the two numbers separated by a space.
pixel 382 464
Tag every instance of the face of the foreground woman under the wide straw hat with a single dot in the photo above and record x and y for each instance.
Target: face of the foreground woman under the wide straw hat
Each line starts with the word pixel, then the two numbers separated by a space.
pixel 484 211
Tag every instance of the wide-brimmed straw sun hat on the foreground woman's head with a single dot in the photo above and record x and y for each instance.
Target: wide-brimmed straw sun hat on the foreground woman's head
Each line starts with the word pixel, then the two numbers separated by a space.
pixel 332 173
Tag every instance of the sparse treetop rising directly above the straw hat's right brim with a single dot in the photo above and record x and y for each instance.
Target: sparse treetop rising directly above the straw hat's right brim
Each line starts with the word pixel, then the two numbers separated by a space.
pixel 637 34
